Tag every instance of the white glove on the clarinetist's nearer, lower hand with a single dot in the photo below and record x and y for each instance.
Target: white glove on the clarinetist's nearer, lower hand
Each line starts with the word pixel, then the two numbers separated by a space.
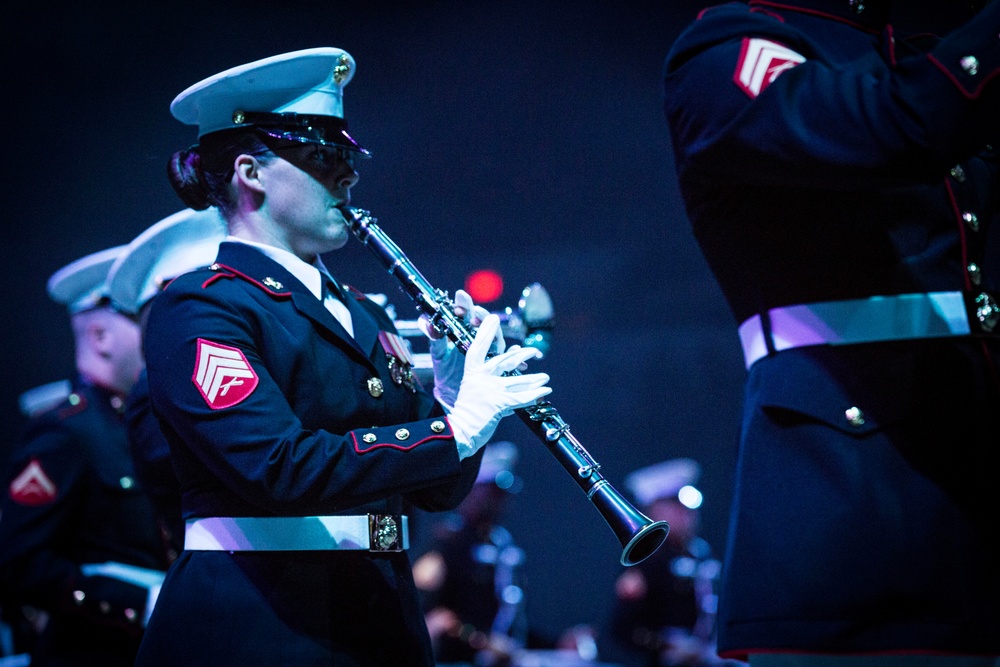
pixel 486 395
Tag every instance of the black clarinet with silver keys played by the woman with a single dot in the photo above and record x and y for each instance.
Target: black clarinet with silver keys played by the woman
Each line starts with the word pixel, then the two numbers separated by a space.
pixel 639 535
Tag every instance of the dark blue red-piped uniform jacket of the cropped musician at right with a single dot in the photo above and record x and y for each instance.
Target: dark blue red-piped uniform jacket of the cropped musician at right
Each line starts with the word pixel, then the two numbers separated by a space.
pixel 860 163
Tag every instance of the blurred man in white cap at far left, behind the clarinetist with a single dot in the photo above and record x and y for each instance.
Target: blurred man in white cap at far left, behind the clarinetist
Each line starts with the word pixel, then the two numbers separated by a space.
pixel 80 554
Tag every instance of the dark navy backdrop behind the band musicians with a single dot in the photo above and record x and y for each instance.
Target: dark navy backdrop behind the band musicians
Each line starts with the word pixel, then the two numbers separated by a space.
pixel 525 137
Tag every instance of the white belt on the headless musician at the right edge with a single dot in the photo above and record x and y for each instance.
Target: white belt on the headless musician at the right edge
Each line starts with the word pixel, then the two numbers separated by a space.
pixel 877 318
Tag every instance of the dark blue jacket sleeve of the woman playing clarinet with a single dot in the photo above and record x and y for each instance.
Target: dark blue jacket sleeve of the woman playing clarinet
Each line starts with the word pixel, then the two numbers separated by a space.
pixel 257 447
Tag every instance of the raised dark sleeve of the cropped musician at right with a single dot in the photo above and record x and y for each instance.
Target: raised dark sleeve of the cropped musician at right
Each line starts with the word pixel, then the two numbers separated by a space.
pixel 750 99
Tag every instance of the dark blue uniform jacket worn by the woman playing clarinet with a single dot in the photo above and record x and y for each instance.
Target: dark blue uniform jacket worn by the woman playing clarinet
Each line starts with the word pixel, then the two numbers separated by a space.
pixel 293 446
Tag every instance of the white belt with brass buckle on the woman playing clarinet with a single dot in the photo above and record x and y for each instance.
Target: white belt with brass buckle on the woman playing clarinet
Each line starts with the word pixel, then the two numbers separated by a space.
pixel 366 532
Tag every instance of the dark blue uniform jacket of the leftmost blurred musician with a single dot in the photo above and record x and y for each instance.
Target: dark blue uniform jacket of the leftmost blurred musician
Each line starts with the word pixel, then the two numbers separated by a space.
pixel 71 499
